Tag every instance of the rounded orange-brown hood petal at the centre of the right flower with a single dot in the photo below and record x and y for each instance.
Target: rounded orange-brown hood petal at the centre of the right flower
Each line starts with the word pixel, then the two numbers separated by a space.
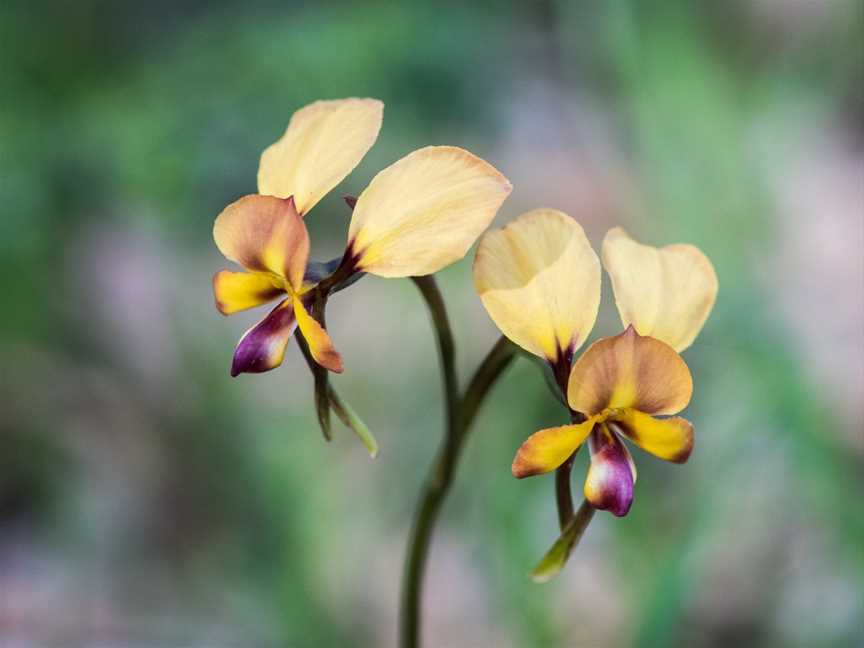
pixel 629 371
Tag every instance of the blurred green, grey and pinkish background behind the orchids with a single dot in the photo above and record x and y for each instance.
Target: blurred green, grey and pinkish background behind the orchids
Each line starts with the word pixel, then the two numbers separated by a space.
pixel 149 500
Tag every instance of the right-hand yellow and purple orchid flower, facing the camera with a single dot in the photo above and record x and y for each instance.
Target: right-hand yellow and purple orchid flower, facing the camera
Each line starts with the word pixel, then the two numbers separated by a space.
pixel 539 280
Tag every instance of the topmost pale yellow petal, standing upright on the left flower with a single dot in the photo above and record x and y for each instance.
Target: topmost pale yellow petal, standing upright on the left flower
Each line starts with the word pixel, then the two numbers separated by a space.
pixel 323 143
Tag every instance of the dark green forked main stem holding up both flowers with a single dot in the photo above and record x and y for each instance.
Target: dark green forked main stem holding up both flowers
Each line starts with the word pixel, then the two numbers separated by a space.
pixel 460 414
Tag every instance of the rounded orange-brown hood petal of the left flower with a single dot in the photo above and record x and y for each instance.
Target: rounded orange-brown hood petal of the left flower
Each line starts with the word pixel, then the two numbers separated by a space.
pixel 264 234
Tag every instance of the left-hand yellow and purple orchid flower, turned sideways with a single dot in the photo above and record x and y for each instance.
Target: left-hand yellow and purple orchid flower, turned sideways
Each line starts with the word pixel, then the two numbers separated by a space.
pixel 416 216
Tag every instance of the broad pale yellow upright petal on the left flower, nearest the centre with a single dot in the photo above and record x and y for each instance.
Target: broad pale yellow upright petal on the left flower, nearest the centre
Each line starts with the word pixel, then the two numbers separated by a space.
pixel 424 212
